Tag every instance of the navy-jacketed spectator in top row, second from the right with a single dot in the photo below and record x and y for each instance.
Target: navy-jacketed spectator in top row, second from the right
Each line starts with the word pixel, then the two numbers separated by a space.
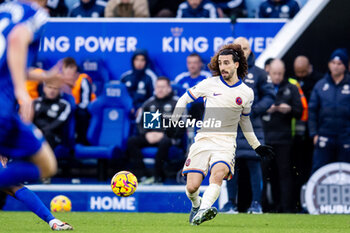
pixel 232 9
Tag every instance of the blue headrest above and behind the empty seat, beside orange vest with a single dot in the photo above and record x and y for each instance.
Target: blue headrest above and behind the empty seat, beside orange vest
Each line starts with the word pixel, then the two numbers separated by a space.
pixel 98 72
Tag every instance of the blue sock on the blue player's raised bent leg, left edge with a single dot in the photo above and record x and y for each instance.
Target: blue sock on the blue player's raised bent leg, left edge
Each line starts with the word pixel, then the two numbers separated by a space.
pixel 18 172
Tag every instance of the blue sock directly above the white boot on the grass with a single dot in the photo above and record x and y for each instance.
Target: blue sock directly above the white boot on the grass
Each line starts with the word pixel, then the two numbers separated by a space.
pixel 32 201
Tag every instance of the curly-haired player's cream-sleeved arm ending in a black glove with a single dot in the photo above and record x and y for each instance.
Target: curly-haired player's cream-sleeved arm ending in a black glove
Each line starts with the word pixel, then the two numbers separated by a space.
pixel 248 131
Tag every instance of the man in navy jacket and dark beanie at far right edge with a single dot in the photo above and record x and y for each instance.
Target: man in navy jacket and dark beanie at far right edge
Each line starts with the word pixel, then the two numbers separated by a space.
pixel 329 113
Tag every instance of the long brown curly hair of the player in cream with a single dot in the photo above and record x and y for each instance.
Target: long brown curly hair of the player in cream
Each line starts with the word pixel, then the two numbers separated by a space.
pixel 237 55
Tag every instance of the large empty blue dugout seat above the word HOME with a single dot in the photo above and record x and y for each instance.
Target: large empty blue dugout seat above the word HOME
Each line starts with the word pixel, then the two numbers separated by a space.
pixel 109 125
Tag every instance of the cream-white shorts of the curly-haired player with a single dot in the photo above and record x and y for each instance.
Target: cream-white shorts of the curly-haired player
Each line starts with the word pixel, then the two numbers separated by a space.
pixel 208 150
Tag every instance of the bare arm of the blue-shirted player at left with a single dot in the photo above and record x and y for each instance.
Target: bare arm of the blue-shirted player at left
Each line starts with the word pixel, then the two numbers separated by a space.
pixel 17 49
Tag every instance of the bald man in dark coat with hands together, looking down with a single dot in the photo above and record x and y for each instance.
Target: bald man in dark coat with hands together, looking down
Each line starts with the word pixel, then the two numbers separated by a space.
pixel 278 134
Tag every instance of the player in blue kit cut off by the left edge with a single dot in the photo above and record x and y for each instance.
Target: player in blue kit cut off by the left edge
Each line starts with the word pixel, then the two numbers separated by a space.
pixel 21 26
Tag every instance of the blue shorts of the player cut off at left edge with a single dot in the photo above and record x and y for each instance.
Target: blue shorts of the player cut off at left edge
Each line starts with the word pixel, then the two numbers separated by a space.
pixel 17 139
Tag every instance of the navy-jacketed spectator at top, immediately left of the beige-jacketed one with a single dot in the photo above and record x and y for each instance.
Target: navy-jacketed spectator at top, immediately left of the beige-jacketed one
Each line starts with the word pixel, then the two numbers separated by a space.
pixel 88 8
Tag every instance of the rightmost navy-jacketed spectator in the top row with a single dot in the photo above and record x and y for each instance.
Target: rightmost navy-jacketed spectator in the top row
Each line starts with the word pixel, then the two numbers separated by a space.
pixel 278 9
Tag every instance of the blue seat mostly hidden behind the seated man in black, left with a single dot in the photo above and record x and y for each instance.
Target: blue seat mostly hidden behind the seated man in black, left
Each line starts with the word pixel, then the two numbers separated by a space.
pixel 66 148
